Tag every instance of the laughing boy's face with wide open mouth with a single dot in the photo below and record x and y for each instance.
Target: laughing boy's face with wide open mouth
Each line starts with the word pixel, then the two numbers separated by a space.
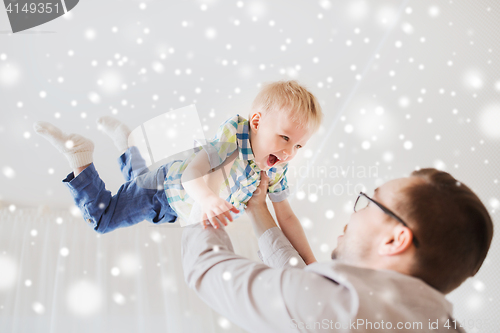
pixel 275 138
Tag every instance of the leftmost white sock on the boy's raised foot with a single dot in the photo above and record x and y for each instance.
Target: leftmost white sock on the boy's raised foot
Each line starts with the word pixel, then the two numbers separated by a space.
pixel 77 149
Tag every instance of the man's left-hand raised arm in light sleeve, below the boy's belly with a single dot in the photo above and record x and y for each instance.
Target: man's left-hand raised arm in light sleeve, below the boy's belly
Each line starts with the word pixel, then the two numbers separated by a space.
pixel 250 294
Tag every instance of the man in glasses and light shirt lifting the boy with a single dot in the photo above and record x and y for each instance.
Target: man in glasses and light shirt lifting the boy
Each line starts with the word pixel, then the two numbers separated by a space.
pixel 403 249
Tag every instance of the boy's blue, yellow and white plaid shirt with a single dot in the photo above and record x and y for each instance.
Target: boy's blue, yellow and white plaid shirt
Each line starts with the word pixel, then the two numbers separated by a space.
pixel 243 178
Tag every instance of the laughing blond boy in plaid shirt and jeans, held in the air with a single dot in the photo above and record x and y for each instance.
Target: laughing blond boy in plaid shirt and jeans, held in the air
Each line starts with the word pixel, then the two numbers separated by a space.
pixel 283 117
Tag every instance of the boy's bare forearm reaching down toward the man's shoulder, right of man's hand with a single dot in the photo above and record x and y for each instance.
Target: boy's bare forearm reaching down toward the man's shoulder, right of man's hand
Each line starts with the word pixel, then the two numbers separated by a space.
pixel 290 225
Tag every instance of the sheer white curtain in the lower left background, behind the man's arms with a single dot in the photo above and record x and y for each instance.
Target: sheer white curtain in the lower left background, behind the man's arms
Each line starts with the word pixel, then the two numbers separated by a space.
pixel 58 275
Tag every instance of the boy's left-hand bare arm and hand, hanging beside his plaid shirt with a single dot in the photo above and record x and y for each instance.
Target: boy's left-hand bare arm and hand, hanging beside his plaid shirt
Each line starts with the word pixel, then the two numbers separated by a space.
pixel 202 183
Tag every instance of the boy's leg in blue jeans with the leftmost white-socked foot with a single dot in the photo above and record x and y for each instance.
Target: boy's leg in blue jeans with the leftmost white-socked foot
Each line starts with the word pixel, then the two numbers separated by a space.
pixel 132 204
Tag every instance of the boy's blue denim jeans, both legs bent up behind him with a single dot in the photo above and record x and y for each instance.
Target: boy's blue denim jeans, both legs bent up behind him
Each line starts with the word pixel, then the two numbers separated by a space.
pixel 141 198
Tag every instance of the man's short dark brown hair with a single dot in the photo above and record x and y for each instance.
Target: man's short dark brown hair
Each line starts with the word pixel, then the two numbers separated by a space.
pixel 452 225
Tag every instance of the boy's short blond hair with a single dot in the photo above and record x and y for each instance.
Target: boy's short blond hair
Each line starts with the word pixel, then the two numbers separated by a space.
pixel 291 97
